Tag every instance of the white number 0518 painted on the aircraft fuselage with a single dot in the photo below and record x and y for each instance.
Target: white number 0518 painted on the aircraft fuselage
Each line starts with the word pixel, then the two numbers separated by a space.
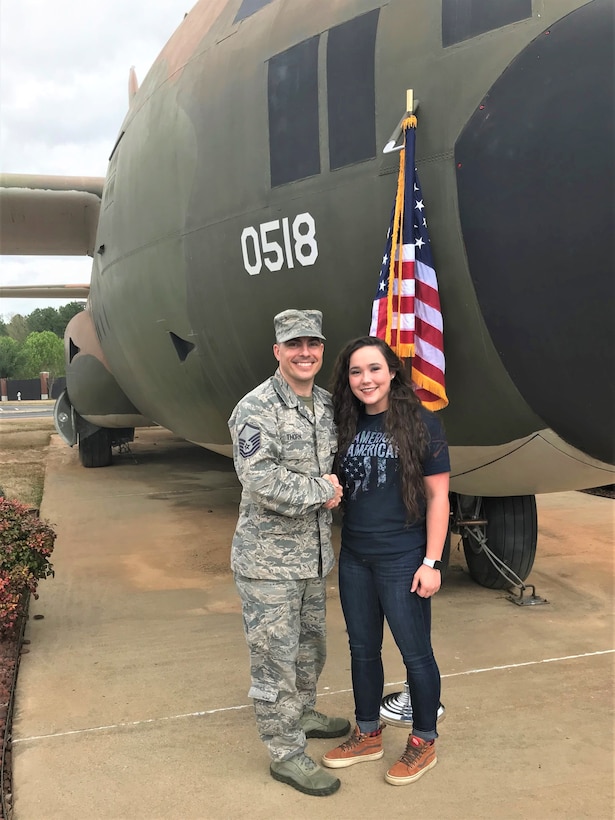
pixel 279 243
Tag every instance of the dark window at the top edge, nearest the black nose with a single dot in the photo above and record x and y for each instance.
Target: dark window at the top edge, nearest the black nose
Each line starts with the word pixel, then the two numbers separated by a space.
pixel 464 19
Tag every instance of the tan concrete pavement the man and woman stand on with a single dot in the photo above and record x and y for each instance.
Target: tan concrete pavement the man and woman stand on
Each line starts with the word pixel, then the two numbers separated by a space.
pixel 132 702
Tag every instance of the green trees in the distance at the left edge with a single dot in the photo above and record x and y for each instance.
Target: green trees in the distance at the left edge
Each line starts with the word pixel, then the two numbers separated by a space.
pixel 34 343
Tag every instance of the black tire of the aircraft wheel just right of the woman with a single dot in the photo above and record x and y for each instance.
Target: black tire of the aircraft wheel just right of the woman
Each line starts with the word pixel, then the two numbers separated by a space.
pixel 511 534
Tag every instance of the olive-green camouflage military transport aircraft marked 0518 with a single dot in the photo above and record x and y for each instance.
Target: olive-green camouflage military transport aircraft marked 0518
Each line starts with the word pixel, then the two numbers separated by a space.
pixel 250 175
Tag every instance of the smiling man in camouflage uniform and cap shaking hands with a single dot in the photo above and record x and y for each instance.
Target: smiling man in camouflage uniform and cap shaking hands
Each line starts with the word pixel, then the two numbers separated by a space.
pixel 283 447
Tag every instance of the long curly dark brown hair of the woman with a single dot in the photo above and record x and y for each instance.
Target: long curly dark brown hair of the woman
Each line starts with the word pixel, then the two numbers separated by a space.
pixel 403 424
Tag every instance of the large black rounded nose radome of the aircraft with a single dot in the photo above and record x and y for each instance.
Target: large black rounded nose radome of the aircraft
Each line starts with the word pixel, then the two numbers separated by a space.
pixel 536 173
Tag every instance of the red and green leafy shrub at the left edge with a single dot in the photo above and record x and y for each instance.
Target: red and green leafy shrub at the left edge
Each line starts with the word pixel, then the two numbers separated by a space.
pixel 26 544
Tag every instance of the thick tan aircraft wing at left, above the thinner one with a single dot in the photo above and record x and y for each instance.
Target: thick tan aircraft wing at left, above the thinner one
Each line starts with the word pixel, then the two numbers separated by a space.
pixel 49 215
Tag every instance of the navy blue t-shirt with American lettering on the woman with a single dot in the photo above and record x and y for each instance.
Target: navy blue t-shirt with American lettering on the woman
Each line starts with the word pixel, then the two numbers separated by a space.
pixel 375 518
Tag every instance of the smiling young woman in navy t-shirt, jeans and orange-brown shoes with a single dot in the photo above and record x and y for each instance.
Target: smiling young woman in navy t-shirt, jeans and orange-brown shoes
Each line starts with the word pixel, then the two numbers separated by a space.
pixel 394 467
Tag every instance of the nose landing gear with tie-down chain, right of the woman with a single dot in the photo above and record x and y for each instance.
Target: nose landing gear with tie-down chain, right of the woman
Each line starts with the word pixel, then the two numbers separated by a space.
pixel 508 526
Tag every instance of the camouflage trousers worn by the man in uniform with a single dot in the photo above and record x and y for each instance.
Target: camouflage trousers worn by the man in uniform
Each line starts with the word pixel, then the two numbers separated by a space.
pixel 284 625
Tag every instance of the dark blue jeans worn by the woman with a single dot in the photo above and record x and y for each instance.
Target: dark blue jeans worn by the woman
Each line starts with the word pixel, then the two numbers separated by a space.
pixel 372 588
